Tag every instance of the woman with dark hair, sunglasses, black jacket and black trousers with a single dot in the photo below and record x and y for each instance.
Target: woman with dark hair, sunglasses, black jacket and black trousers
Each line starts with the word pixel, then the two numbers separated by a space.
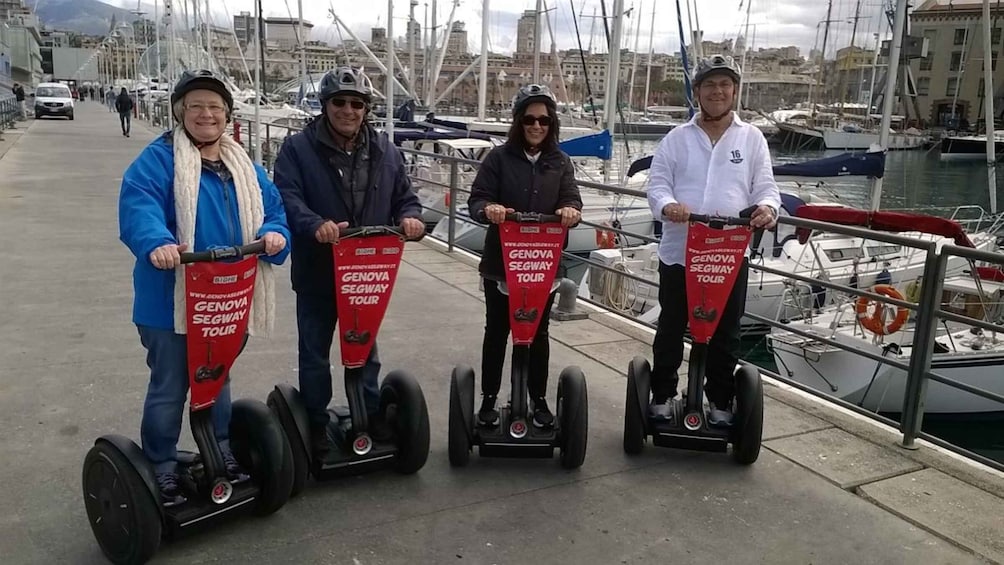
pixel 529 174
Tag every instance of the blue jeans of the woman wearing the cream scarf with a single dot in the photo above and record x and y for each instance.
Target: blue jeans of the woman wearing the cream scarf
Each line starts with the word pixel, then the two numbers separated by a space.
pixel 162 413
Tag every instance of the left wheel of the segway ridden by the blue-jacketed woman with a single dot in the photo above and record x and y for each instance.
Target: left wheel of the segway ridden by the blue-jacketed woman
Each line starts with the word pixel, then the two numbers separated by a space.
pixel 123 512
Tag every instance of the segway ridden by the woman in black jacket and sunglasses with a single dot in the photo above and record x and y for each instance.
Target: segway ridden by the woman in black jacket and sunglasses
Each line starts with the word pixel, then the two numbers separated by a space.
pixel 532 250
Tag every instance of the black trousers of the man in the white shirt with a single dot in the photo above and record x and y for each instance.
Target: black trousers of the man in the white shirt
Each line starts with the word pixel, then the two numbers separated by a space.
pixel 668 348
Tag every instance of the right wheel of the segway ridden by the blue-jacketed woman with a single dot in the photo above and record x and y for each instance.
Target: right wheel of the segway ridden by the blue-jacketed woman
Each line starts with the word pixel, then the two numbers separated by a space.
pixel 261 446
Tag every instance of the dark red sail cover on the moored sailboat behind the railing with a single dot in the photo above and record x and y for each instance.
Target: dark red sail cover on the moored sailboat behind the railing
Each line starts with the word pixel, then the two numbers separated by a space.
pixel 883 221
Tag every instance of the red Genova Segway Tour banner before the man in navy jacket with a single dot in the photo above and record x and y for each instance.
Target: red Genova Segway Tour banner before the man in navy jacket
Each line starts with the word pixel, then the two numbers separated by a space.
pixel 365 271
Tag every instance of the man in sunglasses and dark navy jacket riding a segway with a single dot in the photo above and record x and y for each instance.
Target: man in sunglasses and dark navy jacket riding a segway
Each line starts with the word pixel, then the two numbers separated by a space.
pixel 338 173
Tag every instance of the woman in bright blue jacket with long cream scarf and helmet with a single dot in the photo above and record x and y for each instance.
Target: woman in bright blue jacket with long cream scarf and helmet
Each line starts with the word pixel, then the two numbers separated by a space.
pixel 192 189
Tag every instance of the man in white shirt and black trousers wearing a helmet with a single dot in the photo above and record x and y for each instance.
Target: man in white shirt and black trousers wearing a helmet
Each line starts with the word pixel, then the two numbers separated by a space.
pixel 715 164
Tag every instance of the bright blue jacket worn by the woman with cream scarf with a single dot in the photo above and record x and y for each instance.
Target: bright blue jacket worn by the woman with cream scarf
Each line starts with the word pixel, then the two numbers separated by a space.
pixel 147 221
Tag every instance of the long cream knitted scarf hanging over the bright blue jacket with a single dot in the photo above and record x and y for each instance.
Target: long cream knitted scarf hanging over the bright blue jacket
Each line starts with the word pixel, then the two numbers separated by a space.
pixel 188 175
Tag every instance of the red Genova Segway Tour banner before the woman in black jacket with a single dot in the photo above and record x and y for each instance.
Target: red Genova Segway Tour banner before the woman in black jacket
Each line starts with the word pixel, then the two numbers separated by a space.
pixel 531 253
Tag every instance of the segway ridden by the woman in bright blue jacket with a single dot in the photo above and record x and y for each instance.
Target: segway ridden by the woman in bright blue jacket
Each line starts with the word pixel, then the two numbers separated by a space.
pixel 121 494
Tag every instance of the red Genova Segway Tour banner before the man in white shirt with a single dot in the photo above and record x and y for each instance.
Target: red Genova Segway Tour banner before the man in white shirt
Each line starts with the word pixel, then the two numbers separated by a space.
pixel 714 258
